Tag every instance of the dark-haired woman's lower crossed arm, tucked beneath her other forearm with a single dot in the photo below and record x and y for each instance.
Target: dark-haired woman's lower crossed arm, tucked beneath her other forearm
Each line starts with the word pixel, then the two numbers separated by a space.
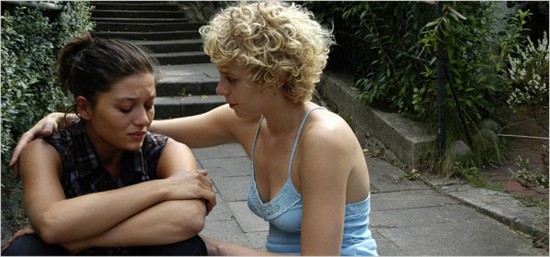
pixel 169 221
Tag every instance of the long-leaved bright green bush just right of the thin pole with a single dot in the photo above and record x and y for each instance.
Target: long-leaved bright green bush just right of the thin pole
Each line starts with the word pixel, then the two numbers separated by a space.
pixel 475 73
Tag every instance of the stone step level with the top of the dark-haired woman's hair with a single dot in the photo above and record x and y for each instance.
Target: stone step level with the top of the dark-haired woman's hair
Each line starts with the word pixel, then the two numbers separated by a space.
pixel 148 36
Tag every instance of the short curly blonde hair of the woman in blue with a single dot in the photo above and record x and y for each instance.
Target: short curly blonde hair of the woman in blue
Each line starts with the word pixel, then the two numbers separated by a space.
pixel 275 41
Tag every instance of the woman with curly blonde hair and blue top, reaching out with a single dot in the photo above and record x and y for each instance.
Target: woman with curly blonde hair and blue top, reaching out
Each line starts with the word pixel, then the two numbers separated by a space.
pixel 310 180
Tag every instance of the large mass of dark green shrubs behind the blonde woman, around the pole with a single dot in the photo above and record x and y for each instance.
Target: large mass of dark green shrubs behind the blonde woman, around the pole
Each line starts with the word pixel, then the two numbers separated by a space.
pixel 396 47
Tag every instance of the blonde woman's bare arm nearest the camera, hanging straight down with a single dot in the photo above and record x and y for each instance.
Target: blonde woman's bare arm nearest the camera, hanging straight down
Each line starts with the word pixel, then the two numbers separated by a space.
pixel 325 168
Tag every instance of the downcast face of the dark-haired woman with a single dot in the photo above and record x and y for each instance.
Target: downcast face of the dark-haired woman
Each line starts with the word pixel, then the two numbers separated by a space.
pixel 122 115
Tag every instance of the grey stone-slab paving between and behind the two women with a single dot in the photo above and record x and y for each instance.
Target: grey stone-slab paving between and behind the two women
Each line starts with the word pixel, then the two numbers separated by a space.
pixel 428 217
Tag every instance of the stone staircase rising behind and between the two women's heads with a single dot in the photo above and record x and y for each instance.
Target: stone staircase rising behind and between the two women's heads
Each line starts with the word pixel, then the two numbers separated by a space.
pixel 188 82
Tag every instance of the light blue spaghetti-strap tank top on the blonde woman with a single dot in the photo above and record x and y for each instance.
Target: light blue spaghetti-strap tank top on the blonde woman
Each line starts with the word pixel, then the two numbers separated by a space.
pixel 284 214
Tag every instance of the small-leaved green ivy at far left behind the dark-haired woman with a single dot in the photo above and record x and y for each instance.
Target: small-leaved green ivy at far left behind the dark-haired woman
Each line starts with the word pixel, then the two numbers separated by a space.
pixel 31 39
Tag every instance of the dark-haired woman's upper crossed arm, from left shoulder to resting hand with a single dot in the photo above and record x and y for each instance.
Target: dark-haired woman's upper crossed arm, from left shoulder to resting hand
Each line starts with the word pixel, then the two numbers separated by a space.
pixel 60 220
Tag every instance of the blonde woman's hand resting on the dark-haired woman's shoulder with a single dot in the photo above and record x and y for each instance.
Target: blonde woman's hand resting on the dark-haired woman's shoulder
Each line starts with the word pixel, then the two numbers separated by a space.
pixel 46 126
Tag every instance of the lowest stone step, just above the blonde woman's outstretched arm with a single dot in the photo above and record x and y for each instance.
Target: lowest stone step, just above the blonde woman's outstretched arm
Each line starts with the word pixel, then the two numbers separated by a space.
pixel 175 106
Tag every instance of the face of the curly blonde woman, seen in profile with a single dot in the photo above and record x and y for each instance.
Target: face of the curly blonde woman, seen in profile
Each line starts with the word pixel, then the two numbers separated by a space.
pixel 243 96
